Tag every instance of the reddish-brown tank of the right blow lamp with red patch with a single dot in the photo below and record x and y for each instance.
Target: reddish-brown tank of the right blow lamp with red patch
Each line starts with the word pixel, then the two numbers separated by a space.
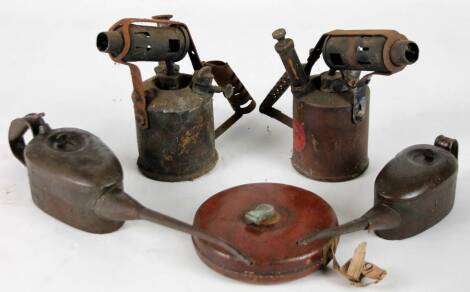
pixel 328 145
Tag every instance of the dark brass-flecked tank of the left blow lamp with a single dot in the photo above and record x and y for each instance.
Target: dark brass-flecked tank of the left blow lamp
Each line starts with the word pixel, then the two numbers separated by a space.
pixel 179 142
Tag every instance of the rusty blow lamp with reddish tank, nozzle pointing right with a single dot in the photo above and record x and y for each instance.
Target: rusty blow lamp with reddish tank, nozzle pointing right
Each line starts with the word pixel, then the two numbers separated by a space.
pixel 331 110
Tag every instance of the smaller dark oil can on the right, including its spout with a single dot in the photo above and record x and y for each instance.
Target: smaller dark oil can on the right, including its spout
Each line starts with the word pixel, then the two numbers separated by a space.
pixel 412 193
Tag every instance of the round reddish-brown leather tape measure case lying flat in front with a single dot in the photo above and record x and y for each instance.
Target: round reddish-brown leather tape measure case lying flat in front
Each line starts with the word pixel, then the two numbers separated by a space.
pixel 264 221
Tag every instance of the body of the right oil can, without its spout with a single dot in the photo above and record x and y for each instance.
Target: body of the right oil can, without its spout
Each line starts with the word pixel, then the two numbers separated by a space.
pixel 420 184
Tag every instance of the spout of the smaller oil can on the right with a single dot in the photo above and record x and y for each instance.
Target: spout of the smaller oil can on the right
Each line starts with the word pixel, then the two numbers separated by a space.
pixel 380 217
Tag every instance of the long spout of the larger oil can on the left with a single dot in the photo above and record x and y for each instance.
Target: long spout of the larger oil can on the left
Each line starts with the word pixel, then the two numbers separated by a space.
pixel 115 204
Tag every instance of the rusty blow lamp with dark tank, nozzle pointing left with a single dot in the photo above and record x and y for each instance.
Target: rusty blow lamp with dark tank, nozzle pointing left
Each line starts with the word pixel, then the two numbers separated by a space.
pixel 173 110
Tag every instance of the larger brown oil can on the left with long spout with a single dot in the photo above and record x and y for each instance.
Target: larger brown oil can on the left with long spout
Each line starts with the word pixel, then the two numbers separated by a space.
pixel 77 179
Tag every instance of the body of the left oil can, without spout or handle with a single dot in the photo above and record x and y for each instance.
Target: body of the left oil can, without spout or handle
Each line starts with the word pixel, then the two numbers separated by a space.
pixel 69 169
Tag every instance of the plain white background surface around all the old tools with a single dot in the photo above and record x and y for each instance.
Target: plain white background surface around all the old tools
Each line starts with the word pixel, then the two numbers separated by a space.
pixel 49 63
